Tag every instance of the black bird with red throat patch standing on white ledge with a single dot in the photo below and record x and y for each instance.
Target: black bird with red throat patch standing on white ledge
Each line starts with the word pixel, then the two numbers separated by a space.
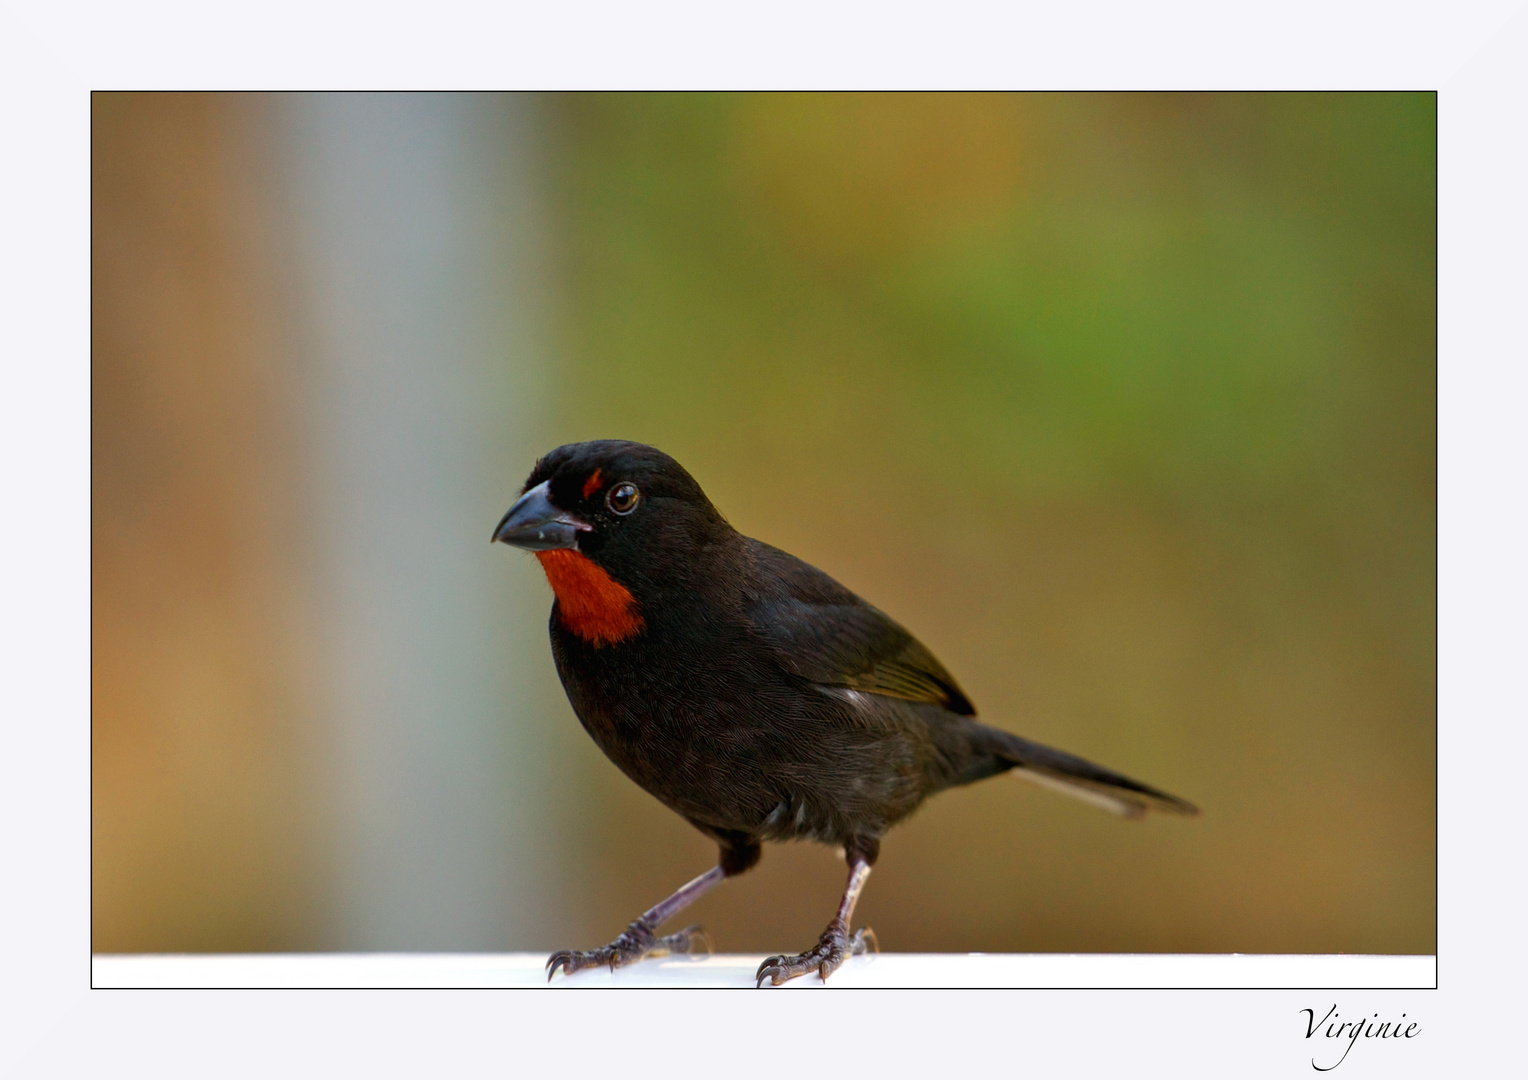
pixel 748 691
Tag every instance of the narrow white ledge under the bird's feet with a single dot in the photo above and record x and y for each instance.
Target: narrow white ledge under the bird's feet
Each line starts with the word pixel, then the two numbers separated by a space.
pixel 986 971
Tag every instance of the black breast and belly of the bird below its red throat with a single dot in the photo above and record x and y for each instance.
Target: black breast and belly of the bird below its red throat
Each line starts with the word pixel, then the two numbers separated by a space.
pixel 702 713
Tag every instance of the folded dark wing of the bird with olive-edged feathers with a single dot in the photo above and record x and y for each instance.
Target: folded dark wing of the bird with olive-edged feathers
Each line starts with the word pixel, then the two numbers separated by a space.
pixel 824 633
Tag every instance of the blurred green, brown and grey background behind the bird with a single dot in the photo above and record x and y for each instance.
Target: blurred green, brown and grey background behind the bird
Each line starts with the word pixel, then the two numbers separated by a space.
pixel 1125 404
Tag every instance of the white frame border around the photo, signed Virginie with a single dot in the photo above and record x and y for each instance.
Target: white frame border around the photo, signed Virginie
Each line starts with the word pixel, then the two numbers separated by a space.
pixel 51 56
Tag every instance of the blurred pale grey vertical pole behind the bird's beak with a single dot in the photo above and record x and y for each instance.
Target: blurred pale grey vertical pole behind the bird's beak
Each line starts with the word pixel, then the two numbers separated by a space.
pixel 415 238
